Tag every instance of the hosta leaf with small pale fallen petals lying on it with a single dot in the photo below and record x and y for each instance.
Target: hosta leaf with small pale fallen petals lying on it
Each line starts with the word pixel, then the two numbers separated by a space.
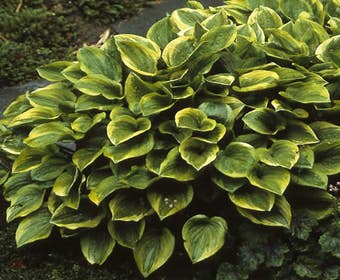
pixel 168 198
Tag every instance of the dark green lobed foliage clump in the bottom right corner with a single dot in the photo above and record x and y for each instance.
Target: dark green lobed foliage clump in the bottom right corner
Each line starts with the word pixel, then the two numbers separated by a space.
pixel 310 252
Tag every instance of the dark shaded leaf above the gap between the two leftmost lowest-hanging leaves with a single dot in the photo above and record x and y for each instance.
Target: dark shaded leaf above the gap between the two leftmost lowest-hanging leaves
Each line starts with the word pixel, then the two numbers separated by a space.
pixel 127 234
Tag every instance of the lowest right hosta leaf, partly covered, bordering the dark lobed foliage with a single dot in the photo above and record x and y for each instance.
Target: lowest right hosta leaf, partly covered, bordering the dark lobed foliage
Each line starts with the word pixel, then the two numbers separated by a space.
pixel 279 216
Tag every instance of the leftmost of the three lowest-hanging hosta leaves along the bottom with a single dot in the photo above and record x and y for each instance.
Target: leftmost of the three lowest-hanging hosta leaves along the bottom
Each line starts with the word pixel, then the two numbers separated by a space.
pixel 97 246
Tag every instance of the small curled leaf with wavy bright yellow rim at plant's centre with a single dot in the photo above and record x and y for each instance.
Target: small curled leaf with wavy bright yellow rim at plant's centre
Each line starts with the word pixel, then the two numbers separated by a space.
pixel 194 119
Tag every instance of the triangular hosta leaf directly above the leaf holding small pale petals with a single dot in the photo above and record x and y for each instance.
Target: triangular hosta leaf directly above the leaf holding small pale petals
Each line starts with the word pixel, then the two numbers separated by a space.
pixel 173 166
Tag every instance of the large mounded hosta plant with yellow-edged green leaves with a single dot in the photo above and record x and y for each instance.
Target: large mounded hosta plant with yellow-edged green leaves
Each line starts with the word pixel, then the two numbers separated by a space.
pixel 145 142
